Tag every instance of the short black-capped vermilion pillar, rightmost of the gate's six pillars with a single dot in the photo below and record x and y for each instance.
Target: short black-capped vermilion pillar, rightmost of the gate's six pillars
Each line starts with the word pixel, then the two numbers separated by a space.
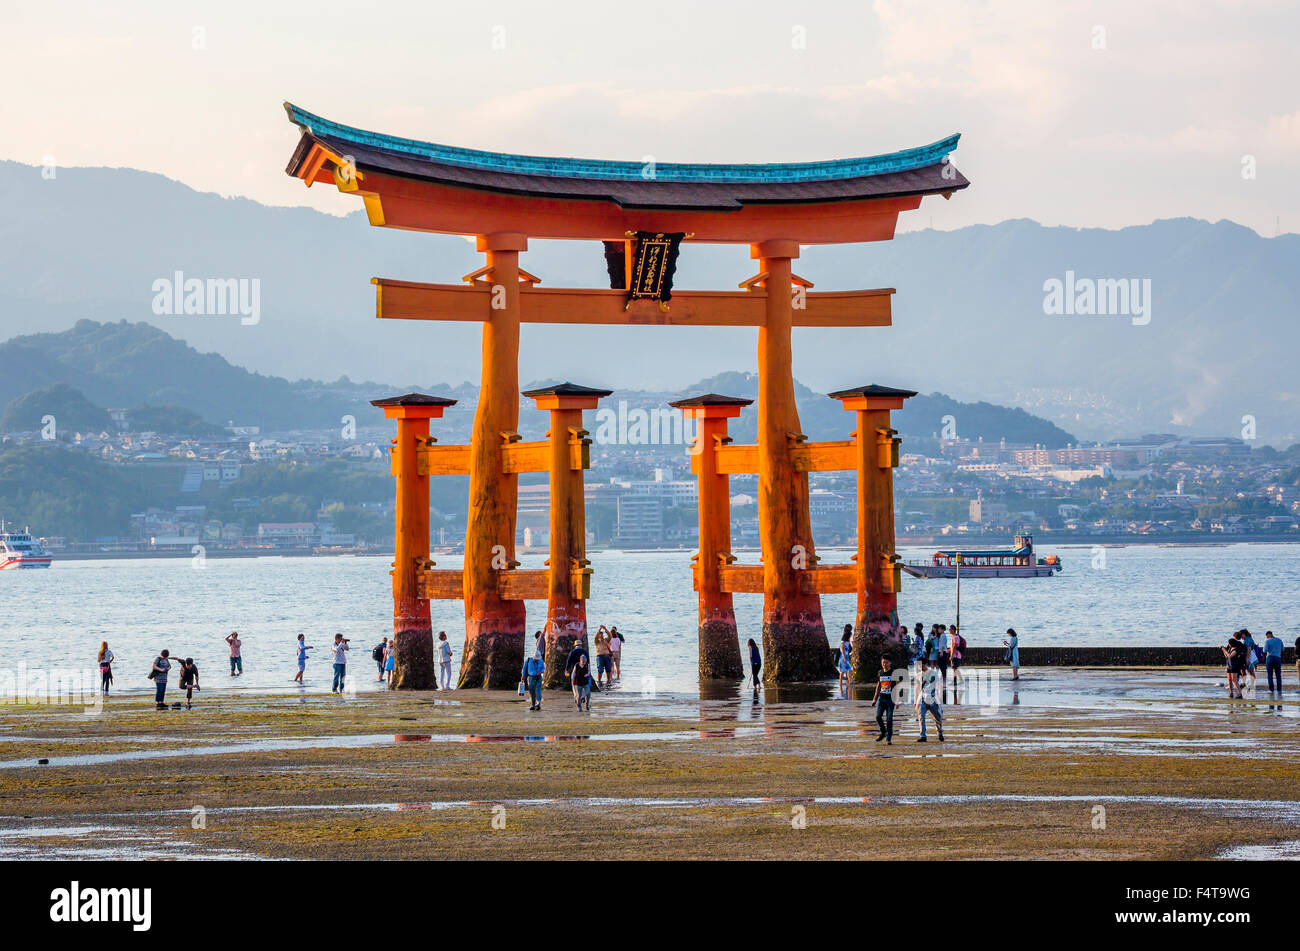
pixel 877 446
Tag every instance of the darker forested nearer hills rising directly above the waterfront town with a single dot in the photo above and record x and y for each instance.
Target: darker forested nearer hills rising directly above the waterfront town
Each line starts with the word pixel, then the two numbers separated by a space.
pixel 80 374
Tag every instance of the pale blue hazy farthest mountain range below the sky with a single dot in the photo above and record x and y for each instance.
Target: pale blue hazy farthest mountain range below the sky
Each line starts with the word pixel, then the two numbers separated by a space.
pixel 970 315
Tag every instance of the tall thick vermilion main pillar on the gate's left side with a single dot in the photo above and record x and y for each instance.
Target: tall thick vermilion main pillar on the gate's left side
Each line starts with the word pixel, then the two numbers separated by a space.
pixel 495 628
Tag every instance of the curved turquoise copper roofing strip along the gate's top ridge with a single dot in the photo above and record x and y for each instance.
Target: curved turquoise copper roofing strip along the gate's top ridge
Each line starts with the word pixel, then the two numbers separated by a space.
pixel 905 160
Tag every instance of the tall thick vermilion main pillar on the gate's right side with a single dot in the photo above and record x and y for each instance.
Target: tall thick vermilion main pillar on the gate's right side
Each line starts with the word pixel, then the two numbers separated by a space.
pixel 795 645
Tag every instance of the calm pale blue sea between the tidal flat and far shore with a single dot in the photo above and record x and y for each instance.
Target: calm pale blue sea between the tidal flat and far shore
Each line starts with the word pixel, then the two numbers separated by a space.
pixel 1119 596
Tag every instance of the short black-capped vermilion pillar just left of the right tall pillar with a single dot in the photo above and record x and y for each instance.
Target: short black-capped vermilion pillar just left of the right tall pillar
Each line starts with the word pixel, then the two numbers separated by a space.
pixel 720 641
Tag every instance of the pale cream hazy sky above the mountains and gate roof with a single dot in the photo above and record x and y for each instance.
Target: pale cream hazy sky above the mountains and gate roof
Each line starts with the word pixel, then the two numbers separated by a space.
pixel 1077 114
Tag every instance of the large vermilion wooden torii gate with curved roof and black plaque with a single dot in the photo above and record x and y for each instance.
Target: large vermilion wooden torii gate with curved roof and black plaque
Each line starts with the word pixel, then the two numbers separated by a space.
pixel 505 201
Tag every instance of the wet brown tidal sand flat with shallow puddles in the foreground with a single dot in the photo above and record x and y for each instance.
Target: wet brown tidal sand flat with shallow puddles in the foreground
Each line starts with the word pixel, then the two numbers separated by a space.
pixel 1093 765
